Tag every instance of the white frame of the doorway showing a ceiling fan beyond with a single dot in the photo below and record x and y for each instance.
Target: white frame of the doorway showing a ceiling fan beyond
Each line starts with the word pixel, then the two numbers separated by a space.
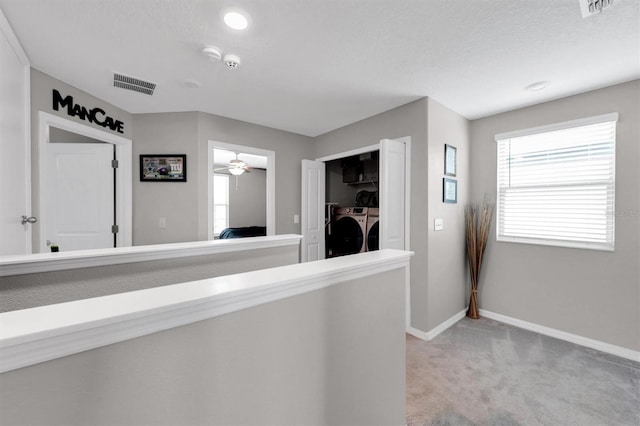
pixel 270 176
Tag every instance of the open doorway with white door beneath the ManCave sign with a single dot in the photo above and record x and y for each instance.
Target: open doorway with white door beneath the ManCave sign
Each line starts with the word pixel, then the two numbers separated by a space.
pixel 85 192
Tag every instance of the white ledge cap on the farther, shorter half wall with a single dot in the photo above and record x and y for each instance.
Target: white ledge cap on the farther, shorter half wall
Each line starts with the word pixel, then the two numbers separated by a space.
pixel 46 262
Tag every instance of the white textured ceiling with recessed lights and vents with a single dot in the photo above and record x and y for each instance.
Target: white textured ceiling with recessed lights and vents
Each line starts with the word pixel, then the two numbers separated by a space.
pixel 311 66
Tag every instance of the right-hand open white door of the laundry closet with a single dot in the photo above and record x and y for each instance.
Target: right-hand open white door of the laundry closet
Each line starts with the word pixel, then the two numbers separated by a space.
pixel 392 194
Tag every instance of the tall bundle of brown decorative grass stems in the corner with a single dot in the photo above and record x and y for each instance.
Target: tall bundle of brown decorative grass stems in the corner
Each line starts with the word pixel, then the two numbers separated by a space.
pixel 478 222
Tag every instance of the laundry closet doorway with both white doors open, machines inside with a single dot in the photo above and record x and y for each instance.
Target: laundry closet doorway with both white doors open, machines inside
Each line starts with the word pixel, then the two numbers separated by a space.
pixel 356 201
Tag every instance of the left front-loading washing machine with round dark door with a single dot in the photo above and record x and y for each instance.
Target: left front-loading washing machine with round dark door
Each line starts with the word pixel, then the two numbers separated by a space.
pixel 349 230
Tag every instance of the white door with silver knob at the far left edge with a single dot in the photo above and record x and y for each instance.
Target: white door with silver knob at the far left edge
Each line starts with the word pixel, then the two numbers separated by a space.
pixel 15 145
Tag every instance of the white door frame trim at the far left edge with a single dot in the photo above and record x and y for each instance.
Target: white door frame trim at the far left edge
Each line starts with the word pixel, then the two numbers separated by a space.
pixel 13 41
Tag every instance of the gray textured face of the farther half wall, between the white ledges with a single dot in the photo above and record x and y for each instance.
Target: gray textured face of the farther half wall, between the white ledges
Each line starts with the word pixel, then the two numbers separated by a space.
pixel 46 288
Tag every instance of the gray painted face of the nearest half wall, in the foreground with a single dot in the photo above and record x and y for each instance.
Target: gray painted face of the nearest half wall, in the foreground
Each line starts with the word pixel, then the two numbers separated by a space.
pixel 308 359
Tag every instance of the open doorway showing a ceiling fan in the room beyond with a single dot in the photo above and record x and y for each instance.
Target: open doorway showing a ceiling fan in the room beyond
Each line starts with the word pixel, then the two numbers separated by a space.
pixel 241 182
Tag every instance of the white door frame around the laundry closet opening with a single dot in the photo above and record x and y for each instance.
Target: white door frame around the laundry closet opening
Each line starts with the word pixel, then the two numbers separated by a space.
pixel 407 205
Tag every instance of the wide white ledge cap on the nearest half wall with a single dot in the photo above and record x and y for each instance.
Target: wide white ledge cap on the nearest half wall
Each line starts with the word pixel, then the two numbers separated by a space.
pixel 43 333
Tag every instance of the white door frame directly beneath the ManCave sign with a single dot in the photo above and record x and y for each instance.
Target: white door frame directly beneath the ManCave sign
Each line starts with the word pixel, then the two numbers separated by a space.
pixel 124 172
